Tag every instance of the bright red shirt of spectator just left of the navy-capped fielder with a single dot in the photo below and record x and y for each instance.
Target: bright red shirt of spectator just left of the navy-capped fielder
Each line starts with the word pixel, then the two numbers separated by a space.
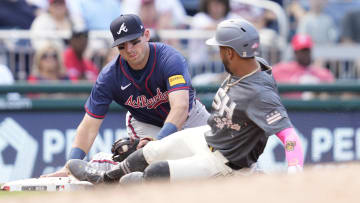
pixel 79 69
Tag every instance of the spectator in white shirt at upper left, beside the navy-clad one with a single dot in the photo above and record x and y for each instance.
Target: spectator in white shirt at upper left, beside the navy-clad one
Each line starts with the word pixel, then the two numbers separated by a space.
pixel 55 19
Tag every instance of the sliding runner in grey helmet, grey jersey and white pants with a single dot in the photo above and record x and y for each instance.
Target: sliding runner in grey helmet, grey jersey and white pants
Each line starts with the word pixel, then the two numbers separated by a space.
pixel 246 111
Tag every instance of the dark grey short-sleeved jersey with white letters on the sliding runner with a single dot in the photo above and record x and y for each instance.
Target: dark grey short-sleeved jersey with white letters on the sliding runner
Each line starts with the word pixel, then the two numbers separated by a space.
pixel 245 116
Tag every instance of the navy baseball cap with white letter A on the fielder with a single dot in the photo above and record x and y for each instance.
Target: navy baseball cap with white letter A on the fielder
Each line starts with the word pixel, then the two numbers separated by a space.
pixel 126 28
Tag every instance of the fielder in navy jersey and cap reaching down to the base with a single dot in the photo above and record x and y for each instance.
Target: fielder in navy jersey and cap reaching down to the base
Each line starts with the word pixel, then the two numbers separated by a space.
pixel 151 80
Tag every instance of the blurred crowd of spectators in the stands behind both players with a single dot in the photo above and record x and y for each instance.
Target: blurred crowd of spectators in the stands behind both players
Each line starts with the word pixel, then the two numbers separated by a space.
pixel 42 56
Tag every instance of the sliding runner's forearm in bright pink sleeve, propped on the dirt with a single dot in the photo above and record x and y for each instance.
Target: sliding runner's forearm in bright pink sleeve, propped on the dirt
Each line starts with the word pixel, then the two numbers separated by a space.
pixel 293 148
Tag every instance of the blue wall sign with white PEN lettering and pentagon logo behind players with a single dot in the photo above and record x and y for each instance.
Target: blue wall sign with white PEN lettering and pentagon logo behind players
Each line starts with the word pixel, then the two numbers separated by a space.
pixel 35 143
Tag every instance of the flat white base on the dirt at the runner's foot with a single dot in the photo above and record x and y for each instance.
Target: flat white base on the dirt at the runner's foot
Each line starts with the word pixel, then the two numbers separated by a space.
pixel 50 184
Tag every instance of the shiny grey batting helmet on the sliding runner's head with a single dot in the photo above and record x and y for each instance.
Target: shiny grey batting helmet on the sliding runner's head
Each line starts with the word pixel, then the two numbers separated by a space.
pixel 238 34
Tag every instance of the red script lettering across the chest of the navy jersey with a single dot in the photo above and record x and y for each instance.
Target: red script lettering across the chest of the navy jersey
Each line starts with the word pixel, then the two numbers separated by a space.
pixel 143 102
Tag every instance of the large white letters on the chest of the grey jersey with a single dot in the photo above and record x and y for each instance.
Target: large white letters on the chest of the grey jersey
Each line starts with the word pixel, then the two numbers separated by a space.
pixel 220 102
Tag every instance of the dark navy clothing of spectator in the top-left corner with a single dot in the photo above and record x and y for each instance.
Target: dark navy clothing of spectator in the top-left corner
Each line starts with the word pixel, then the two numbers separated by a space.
pixel 16 14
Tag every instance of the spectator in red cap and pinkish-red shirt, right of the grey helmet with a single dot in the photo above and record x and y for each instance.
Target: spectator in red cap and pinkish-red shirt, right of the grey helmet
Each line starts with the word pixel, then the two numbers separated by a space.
pixel 301 70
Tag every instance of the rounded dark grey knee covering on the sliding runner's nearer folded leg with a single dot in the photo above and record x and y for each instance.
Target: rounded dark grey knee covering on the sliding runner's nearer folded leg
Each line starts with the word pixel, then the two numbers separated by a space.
pixel 158 170
